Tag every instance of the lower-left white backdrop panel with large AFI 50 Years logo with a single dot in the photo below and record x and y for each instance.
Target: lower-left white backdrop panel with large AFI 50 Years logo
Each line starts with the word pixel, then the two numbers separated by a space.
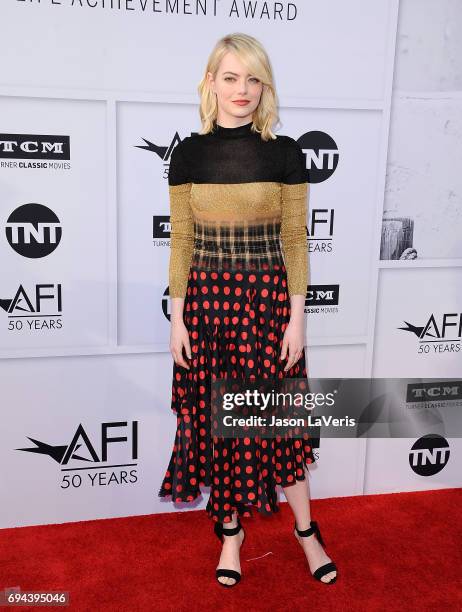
pixel 59 395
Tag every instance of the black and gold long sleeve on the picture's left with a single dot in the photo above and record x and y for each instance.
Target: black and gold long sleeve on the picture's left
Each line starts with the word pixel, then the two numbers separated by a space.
pixel 181 224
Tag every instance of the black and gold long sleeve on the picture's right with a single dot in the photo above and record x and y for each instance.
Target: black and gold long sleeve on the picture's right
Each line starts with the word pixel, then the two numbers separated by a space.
pixel 294 193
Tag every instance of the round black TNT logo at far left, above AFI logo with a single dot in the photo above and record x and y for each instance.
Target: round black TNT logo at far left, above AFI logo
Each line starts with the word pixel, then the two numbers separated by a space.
pixel 33 230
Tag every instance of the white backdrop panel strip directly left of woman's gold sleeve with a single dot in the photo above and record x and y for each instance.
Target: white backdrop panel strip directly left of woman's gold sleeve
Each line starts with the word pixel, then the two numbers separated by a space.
pixel 143 197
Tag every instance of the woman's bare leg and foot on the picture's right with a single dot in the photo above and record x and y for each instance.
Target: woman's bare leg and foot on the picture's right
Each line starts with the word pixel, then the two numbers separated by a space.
pixel 298 496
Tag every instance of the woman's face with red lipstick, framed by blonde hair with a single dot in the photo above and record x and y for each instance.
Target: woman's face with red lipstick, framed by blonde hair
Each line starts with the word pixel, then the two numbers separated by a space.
pixel 234 84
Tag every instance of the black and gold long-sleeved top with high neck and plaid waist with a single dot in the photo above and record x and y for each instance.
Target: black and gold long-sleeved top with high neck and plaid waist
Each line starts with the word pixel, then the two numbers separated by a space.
pixel 237 202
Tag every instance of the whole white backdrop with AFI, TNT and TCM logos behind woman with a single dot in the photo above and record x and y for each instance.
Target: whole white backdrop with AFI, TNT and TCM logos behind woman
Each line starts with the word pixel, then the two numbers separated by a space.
pixel 95 95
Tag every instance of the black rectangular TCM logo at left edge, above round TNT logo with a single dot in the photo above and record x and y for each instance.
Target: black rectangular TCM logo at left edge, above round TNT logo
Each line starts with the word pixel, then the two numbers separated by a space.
pixel 25 146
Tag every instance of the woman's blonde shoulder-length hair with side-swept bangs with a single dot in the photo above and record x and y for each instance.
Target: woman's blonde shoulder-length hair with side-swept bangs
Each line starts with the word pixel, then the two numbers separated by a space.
pixel 255 59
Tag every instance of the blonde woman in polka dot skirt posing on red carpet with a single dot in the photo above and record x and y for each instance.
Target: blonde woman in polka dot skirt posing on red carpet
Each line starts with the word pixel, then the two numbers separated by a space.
pixel 237 193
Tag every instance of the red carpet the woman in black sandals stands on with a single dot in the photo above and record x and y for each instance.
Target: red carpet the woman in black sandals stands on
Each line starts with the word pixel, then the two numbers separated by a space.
pixel 397 551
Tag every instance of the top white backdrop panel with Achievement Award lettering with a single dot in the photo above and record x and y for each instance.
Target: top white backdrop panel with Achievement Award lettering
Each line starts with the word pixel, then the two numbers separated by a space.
pixel 122 47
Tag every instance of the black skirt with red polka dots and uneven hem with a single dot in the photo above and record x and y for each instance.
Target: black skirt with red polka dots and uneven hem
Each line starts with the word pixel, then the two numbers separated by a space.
pixel 236 322
